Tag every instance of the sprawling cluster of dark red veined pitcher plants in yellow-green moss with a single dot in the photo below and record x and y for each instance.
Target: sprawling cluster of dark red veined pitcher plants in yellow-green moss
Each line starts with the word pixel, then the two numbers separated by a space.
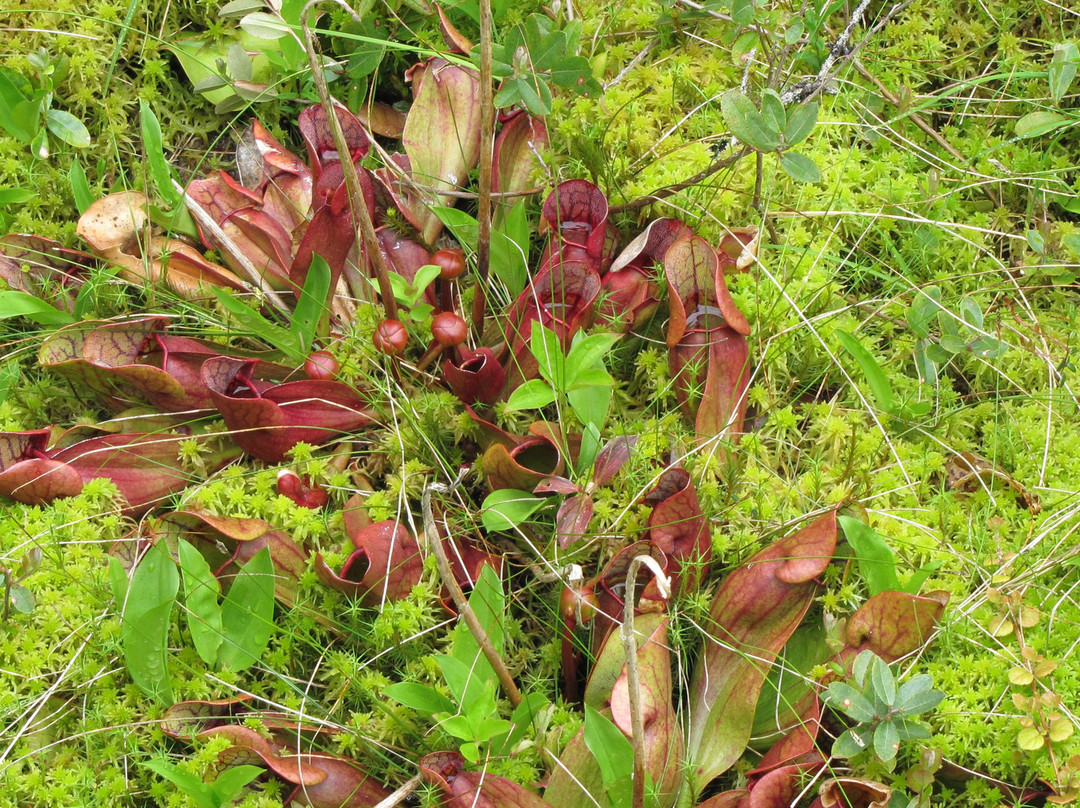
pixel 317 244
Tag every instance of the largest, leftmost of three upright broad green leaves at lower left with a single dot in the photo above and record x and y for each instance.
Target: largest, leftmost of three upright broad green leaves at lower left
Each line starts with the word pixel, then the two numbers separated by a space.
pixel 147 615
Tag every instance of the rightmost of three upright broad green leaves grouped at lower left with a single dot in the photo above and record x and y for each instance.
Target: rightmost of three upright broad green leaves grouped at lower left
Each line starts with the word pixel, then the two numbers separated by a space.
pixel 248 614
